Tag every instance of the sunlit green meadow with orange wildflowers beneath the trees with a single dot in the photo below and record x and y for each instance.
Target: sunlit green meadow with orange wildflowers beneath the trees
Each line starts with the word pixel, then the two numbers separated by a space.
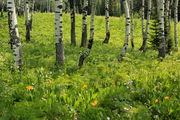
pixel 141 87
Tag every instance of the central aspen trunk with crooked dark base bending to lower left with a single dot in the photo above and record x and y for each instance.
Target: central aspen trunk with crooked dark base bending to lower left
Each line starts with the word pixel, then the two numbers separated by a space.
pixel 87 52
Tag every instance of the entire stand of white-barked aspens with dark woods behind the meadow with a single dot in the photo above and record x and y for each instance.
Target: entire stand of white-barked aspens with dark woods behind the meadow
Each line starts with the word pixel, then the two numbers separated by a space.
pixel 159 10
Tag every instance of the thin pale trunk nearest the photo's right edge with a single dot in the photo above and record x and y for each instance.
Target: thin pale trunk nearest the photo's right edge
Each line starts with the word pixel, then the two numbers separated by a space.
pixel 176 24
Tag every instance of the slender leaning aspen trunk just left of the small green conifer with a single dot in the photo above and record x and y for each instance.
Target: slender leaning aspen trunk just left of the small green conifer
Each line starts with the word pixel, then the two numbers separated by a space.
pixel 144 44
